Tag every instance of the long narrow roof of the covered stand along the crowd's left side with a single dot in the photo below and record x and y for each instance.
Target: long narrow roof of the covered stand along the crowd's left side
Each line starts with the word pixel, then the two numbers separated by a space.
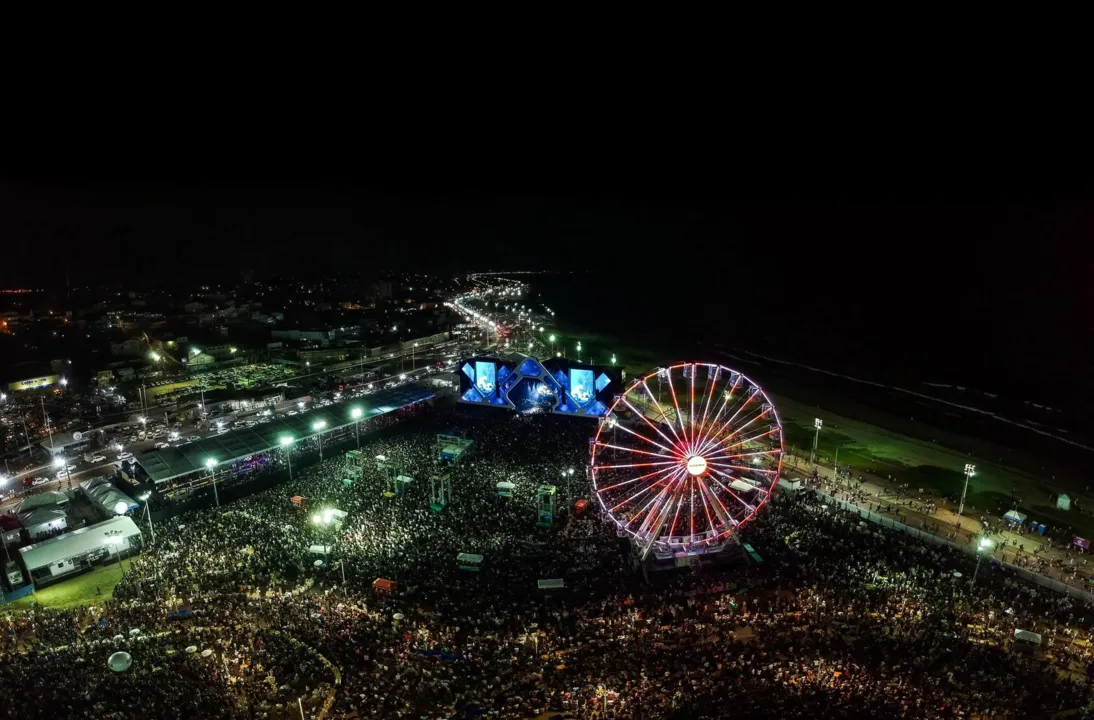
pixel 170 463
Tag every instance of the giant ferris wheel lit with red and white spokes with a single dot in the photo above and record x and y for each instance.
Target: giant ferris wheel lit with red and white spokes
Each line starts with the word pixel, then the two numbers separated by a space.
pixel 686 458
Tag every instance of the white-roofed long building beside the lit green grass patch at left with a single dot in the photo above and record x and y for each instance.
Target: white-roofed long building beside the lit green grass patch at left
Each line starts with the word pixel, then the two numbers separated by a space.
pixel 80 550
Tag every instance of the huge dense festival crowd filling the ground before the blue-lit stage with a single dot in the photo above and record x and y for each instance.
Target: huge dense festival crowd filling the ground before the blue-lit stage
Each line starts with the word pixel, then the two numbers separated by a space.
pixel 235 612
